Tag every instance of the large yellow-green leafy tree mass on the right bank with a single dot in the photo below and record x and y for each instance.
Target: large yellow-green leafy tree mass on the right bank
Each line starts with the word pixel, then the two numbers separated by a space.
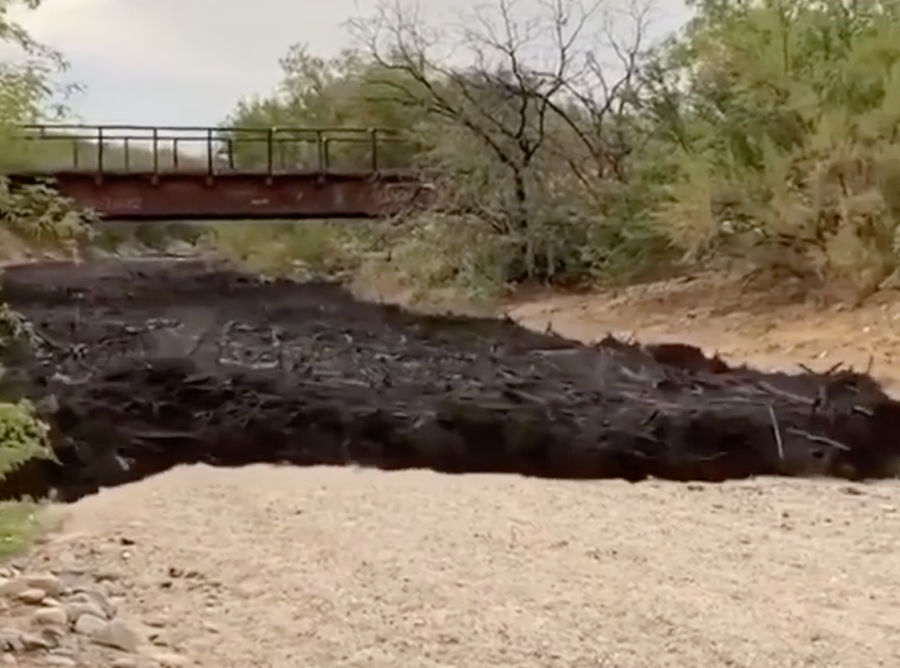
pixel 787 136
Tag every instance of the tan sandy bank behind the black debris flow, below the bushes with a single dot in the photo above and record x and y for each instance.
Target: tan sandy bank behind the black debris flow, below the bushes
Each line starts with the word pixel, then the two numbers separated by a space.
pixel 776 328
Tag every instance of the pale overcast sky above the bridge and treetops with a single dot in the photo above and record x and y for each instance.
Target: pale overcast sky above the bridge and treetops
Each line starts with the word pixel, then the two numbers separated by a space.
pixel 189 61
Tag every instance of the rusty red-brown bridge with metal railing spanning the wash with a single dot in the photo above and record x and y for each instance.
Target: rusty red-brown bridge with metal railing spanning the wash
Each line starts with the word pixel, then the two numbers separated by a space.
pixel 145 173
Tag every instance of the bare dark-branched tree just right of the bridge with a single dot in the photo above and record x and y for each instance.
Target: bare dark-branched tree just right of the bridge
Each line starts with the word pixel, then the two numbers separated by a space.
pixel 520 90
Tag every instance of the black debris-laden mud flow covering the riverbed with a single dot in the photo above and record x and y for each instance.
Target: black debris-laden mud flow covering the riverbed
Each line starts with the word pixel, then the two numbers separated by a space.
pixel 147 364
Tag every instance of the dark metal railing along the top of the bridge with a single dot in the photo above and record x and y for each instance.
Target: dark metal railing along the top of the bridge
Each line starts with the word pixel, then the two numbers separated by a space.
pixel 211 150
